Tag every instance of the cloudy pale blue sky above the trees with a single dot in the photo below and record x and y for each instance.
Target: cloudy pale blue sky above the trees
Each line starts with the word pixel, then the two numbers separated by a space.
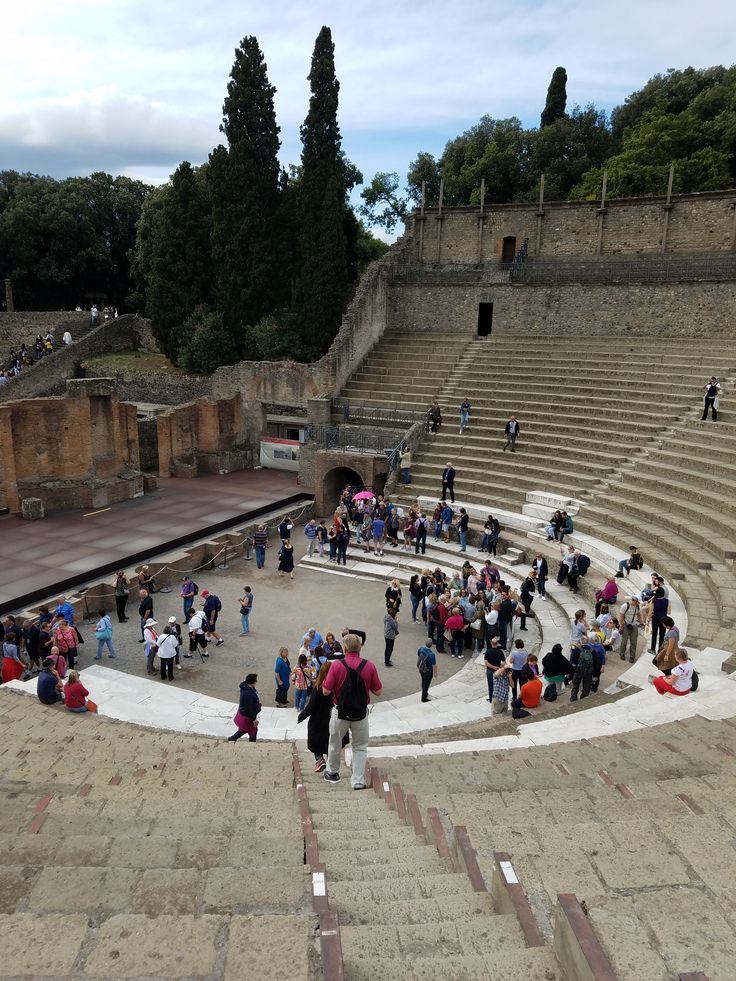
pixel 136 86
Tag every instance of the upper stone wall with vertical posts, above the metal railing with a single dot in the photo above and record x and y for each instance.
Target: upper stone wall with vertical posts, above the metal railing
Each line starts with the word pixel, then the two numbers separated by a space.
pixel 691 223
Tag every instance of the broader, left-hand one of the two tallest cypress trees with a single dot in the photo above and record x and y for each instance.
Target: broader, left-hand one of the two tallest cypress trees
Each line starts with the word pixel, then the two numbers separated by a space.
pixel 245 188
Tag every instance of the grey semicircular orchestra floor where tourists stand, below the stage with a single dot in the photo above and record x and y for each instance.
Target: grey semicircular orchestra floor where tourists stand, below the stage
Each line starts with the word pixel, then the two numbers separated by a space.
pixel 283 610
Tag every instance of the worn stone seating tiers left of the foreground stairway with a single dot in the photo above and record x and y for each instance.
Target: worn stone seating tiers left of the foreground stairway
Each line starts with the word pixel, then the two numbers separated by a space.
pixel 129 853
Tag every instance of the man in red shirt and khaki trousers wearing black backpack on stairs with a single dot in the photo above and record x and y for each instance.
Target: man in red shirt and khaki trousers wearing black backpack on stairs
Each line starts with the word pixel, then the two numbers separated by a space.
pixel 350 681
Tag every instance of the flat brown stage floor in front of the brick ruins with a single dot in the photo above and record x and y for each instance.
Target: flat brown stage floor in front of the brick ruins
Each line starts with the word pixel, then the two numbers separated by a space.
pixel 70 545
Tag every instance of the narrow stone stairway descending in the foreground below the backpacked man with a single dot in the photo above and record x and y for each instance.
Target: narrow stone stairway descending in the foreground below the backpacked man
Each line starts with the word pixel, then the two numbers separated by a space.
pixel 405 909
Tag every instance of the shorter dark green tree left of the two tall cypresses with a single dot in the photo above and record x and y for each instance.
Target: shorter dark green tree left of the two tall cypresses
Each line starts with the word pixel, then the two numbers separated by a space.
pixel 178 271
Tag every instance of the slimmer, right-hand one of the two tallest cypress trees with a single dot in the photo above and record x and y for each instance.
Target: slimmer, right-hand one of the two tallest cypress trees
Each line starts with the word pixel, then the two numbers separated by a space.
pixel 324 273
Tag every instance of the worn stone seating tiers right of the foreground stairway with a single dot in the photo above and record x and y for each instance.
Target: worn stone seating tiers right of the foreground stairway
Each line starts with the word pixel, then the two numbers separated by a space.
pixel 640 828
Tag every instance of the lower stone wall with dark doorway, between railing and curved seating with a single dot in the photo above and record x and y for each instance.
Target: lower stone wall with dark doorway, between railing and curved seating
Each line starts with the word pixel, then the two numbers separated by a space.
pixel 668 309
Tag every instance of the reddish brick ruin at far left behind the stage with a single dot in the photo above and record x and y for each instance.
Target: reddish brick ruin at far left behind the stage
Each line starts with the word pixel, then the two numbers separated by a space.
pixel 80 450
